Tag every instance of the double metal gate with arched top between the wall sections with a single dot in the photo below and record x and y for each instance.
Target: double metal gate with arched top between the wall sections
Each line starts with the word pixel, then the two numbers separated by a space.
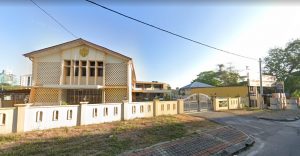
pixel 197 102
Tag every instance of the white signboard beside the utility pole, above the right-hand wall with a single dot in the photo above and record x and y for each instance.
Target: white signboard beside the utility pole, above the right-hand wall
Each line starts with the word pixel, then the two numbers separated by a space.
pixel 267 80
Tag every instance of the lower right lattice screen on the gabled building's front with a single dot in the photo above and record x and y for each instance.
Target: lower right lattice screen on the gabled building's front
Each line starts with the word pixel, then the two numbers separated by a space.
pixel 115 95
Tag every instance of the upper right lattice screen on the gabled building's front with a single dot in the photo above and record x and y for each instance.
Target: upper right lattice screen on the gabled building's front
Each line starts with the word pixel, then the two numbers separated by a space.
pixel 116 74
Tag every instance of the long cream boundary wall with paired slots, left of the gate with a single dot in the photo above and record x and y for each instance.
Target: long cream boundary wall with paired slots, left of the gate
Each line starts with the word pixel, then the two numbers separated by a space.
pixel 25 117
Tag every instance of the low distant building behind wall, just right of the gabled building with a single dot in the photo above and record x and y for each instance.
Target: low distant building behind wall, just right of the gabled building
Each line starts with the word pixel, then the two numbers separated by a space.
pixel 147 91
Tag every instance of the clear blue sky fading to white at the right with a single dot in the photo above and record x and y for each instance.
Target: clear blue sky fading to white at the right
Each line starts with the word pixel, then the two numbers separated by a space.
pixel 245 28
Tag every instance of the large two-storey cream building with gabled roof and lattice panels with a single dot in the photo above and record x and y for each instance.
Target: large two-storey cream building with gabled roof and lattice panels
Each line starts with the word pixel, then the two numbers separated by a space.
pixel 78 71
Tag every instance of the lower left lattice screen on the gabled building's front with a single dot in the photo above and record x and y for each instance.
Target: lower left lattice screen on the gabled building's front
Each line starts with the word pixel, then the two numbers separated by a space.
pixel 44 96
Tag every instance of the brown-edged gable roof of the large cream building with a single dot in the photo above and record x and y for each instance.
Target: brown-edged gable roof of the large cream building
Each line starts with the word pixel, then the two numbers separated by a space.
pixel 75 43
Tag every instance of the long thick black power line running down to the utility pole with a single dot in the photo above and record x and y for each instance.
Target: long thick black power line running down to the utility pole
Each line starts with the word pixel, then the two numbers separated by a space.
pixel 169 32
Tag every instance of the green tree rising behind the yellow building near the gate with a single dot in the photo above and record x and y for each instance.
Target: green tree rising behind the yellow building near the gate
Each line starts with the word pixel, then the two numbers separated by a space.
pixel 222 77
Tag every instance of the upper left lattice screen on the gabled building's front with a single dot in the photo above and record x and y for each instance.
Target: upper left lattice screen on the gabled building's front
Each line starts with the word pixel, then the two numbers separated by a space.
pixel 48 73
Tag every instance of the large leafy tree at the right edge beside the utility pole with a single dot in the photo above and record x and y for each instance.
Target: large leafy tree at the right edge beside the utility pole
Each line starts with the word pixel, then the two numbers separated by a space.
pixel 285 64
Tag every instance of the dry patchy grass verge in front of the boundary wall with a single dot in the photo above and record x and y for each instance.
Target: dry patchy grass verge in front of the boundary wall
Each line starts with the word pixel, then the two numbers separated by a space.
pixel 104 139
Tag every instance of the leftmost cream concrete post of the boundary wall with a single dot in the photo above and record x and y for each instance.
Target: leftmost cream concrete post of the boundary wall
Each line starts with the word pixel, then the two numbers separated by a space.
pixel 21 112
